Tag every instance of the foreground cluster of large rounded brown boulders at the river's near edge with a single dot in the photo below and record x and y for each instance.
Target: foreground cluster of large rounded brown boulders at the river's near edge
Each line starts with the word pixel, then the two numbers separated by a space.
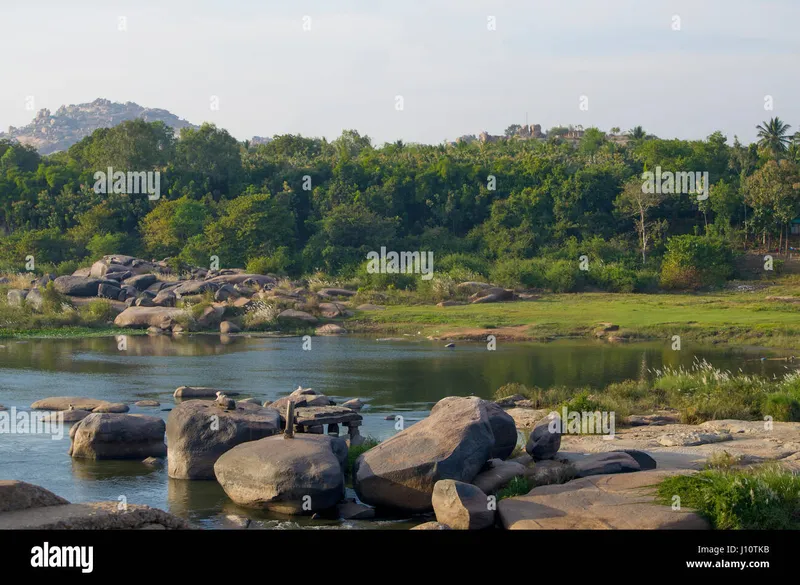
pixel 452 464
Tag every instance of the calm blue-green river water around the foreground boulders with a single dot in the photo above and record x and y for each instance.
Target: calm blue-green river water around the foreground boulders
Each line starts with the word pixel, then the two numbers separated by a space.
pixel 392 377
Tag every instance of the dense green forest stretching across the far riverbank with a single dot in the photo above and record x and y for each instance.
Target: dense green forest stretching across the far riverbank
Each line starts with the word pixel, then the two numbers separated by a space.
pixel 519 212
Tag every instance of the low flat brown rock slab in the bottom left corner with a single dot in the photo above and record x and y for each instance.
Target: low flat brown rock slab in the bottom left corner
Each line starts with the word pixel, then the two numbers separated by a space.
pixel 91 516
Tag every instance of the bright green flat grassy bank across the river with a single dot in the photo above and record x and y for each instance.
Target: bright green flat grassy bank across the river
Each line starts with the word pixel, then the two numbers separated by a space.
pixel 731 317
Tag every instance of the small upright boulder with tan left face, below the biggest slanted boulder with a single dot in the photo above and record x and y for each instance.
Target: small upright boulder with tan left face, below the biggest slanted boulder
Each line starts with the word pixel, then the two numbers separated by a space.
pixel 461 506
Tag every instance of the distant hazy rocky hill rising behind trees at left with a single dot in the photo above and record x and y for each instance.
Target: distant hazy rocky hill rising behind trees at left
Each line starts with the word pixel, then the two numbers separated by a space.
pixel 50 133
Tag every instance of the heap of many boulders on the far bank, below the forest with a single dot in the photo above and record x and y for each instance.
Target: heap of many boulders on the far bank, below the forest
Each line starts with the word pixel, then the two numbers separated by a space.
pixel 145 295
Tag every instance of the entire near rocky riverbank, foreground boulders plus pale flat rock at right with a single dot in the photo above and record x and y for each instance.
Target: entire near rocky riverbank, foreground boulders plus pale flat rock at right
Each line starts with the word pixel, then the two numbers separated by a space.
pixel 471 464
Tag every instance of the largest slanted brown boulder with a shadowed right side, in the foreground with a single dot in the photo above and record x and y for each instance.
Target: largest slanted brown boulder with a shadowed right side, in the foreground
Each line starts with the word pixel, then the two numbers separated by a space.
pixel 453 442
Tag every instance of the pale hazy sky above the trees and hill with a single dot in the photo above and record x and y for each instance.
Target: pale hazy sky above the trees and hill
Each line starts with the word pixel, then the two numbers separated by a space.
pixel 455 75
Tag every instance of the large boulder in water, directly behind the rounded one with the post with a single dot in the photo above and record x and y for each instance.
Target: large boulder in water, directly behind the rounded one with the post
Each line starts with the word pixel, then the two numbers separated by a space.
pixel 199 432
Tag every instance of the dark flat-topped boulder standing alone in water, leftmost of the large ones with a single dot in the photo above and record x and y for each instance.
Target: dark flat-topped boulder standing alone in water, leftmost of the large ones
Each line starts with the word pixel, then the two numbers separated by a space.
pixel 118 436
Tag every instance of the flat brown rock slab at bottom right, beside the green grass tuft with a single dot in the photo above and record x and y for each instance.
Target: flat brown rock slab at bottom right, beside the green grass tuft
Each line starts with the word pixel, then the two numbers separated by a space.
pixel 601 502
